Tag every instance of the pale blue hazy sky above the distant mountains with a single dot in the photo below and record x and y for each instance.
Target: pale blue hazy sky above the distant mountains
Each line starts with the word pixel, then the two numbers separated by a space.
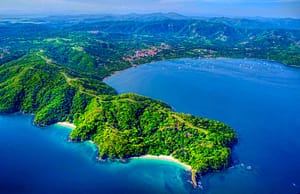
pixel 239 8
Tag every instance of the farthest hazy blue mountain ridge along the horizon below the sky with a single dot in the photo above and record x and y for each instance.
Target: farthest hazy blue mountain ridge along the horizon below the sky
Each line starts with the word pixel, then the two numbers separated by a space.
pixel 249 23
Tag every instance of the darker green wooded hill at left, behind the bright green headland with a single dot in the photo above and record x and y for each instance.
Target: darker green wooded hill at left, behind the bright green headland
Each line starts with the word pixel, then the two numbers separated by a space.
pixel 32 85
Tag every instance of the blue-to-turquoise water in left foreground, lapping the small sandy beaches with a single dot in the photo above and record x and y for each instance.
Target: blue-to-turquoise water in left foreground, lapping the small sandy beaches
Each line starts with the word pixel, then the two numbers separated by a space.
pixel 41 160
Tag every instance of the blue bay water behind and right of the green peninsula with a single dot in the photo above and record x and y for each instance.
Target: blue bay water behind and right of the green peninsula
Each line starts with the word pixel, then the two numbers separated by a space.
pixel 259 99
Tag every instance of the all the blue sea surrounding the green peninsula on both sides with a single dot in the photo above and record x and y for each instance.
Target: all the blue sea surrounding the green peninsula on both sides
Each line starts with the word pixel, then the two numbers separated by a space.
pixel 259 99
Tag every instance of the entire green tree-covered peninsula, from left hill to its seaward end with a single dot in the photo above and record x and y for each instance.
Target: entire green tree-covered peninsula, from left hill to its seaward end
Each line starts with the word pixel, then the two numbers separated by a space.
pixel 122 126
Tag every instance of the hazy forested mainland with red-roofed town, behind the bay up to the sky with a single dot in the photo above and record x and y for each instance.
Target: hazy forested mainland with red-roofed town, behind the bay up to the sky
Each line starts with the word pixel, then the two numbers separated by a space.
pixel 100 45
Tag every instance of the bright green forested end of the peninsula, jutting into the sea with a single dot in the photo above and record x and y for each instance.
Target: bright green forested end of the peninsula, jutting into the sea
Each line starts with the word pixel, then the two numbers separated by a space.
pixel 129 125
